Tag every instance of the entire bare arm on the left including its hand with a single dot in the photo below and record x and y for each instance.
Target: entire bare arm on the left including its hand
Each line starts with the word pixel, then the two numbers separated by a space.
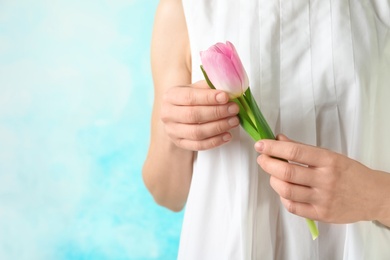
pixel 186 117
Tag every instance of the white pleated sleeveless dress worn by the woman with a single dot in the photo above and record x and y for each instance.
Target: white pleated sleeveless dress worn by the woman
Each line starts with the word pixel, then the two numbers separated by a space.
pixel 320 71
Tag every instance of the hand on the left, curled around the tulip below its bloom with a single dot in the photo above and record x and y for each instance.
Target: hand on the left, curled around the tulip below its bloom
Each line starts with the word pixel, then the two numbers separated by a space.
pixel 196 117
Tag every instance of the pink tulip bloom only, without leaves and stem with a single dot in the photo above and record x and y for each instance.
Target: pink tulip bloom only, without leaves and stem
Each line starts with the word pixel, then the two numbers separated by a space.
pixel 224 69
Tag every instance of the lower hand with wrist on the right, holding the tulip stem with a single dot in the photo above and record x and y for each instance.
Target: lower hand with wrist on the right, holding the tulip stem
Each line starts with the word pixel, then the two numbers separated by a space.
pixel 323 185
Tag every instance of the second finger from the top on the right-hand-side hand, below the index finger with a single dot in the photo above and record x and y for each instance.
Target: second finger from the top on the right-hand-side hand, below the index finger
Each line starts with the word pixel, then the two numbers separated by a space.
pixel 288 172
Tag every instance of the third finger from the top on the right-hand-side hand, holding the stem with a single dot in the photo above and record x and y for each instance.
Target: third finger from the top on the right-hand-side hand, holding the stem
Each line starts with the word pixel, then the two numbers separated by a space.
pixel 293 192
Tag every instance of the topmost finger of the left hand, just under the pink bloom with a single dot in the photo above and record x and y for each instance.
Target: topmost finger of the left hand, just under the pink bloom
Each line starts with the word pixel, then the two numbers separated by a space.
pixel 190 96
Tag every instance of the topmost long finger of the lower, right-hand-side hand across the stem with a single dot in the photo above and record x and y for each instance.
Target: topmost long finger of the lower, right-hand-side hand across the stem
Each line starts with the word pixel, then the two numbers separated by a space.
pixel 296 152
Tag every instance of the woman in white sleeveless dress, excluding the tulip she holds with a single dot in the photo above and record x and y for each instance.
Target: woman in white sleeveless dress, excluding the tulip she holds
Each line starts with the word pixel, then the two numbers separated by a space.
pixel 320 72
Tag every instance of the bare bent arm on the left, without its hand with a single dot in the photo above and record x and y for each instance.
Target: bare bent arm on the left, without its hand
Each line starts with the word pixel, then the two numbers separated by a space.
pixel 167 170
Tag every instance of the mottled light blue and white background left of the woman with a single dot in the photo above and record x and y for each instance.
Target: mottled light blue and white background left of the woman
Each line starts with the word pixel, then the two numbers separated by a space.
pixel 75 104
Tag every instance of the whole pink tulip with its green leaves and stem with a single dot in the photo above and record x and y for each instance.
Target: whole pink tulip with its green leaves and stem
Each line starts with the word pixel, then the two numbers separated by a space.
pixel 223 70
